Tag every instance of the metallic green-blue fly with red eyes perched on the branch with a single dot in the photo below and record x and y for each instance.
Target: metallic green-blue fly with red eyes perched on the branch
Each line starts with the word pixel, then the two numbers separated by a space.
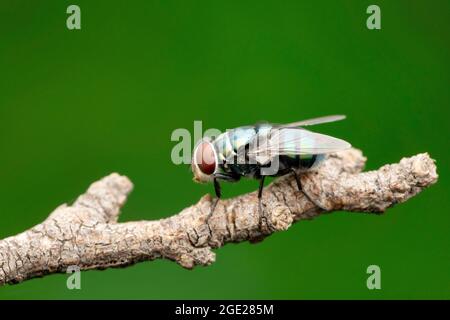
pixel 263 150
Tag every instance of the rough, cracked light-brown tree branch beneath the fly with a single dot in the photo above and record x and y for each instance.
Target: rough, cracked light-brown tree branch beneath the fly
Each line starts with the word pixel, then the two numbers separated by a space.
pixel 86 234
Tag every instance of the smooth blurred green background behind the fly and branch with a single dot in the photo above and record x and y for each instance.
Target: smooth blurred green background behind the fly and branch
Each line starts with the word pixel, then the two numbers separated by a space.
pixel 77 105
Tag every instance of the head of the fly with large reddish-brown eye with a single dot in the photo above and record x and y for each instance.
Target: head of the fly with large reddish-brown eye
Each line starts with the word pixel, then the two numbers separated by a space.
pixel 204 162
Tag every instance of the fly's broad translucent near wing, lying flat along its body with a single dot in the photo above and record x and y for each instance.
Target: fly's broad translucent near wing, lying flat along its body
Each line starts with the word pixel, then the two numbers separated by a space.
pixel 289 141
